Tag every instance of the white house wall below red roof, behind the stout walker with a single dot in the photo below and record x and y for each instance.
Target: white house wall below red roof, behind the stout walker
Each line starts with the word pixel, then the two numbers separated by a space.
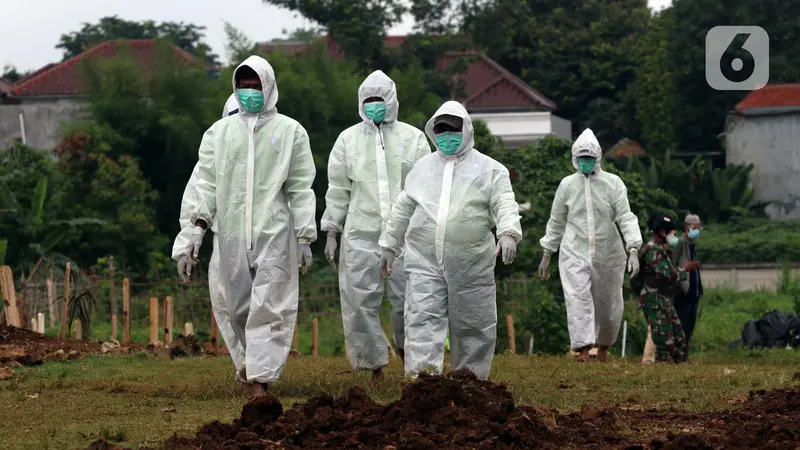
pixel 519 129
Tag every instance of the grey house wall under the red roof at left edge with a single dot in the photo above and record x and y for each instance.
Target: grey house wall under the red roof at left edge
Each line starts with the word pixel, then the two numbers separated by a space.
pixel 43 121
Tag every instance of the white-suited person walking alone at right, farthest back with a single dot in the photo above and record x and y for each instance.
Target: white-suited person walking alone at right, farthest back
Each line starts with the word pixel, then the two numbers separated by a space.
pixel 587 208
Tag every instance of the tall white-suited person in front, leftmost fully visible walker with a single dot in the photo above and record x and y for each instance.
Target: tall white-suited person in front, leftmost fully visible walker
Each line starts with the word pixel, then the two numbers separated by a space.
pixel 254 183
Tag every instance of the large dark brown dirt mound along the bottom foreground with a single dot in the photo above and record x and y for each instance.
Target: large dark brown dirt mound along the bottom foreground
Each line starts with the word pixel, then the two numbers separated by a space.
pixel 460 412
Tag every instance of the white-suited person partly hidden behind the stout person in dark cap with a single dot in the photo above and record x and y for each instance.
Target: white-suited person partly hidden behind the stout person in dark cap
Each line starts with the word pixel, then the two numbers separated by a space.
pixel 366 171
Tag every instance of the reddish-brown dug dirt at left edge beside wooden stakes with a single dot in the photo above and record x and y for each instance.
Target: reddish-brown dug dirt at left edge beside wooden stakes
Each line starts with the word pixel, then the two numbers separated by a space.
pixel 29 348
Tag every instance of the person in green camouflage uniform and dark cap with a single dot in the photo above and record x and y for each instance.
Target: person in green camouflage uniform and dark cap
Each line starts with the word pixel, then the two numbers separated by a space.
pixel 661 281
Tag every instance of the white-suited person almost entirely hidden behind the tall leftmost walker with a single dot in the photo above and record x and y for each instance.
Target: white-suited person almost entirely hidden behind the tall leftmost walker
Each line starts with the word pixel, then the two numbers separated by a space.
pixel 218 304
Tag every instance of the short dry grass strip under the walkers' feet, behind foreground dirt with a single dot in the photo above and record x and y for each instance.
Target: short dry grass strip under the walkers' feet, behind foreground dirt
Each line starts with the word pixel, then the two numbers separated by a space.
pixel 139 400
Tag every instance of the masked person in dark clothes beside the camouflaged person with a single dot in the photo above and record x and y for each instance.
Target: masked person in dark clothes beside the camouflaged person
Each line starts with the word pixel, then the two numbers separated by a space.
pixel 688 298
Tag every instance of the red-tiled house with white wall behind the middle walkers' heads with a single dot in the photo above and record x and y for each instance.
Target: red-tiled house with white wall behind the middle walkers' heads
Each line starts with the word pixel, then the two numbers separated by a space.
pixel 512 109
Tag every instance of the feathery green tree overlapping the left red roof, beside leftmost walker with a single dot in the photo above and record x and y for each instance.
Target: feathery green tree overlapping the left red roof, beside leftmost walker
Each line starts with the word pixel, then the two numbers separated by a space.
pixel 158 118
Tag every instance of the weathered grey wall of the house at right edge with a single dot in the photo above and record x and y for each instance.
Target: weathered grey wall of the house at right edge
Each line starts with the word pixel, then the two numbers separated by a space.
pixel 772 145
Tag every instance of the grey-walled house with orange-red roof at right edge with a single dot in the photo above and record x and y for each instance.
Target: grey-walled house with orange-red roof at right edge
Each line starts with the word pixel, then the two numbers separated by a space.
pixel 764 130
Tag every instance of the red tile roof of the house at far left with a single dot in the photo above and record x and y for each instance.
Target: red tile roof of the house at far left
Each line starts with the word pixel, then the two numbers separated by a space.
pixel 64 78
